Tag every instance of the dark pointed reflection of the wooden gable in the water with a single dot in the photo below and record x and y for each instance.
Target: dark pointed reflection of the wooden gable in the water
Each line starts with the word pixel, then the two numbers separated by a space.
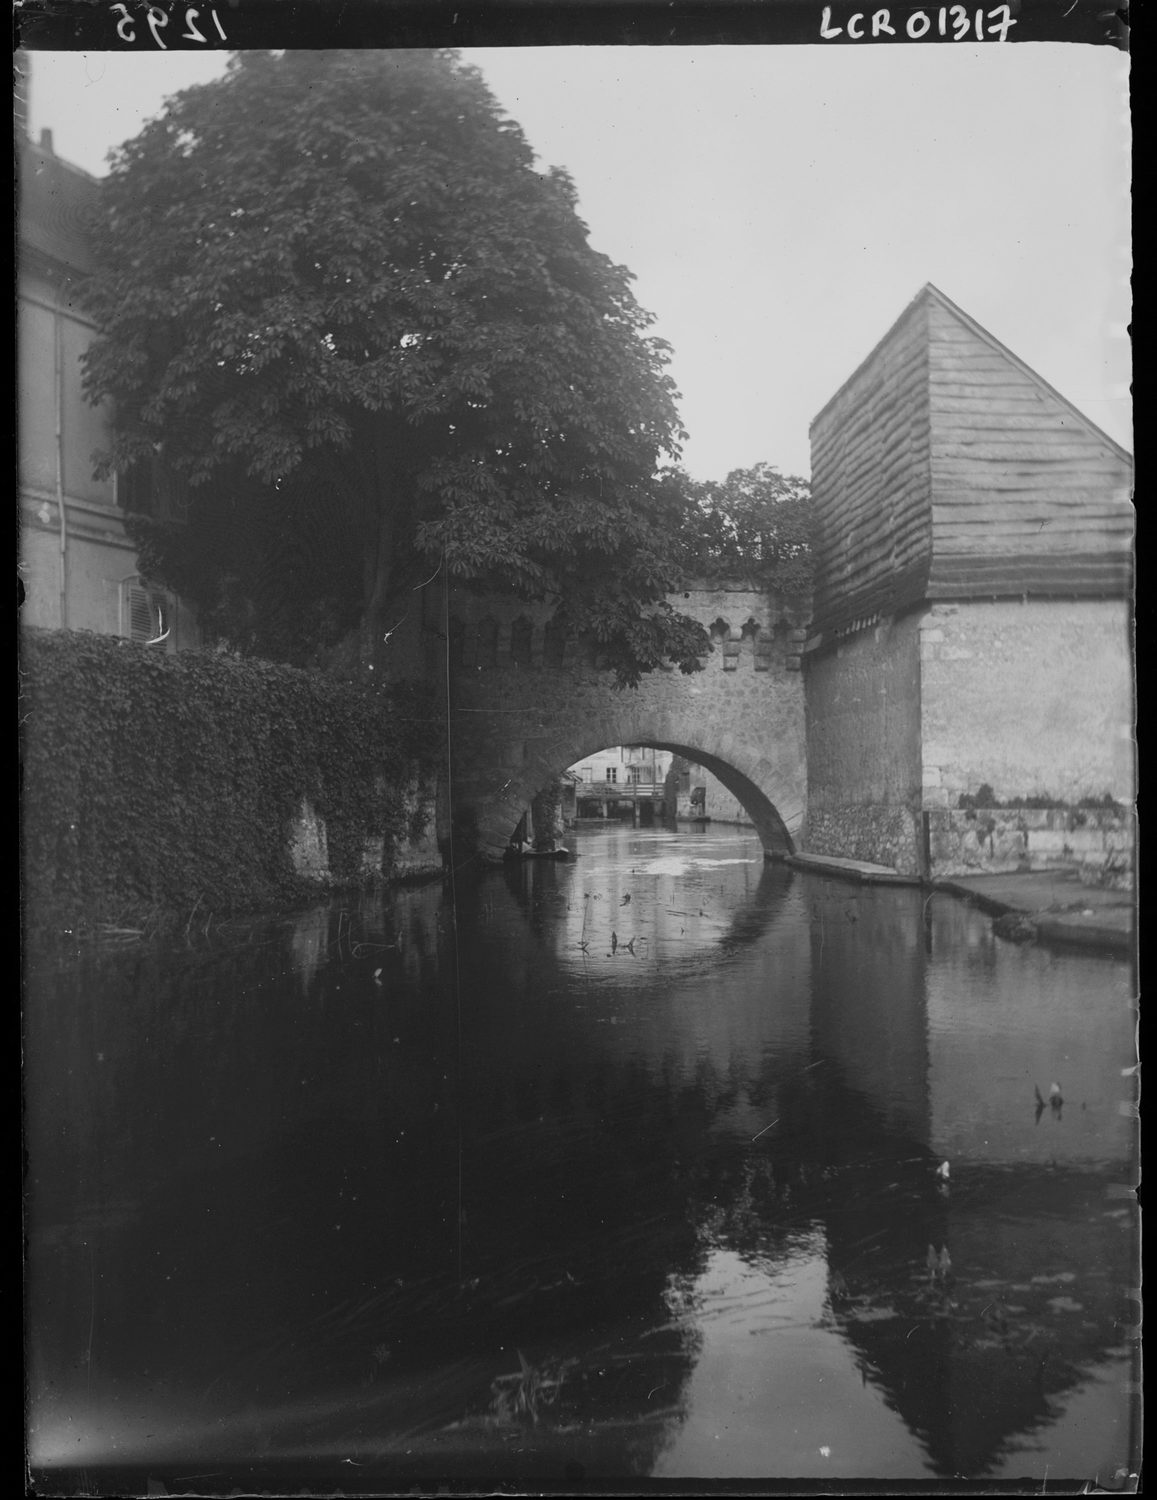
pixel 1033 1301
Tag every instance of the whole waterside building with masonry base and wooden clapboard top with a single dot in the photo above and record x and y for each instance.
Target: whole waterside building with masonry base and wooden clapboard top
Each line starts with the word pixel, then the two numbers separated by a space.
pixel 972 623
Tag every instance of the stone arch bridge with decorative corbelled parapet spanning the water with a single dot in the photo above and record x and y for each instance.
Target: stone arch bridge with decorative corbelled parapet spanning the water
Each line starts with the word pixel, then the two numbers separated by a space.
pixel 526 704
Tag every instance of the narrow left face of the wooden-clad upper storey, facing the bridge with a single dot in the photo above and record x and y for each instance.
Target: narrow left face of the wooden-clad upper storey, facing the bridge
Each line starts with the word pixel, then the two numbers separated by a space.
pixel 871 481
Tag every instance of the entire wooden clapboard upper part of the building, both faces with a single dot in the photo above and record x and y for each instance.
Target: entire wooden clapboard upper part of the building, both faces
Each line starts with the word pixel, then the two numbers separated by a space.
pixel 948 469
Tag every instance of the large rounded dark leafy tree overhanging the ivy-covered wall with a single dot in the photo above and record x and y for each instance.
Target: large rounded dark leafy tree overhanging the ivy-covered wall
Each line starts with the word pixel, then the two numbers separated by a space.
pixel 340 301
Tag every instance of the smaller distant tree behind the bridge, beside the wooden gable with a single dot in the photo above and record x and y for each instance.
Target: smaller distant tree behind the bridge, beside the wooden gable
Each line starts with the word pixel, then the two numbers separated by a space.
pixel 757 524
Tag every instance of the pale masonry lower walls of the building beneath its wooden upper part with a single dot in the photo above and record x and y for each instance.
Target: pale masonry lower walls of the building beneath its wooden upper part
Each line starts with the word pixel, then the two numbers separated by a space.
pixel 1008 700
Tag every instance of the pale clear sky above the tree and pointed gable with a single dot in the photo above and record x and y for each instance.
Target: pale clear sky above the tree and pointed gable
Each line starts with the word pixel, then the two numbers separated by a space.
pixel 781 206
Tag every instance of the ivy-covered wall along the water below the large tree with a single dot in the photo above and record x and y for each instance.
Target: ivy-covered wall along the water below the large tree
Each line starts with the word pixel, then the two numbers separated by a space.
pixel 155 784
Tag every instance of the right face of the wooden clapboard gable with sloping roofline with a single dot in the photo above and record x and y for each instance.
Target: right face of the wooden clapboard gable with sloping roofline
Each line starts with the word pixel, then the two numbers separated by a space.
pixel 1029 497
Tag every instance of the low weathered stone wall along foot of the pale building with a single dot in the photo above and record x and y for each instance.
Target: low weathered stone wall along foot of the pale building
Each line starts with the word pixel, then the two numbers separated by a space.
pixel 990 841
